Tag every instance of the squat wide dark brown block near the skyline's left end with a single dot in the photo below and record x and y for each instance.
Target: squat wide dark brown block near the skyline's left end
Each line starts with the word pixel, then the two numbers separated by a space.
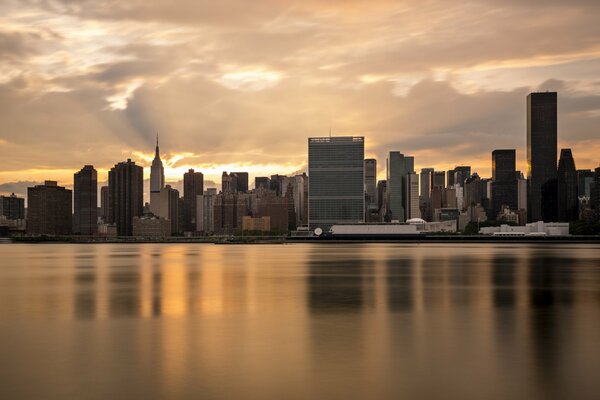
pixel 49 209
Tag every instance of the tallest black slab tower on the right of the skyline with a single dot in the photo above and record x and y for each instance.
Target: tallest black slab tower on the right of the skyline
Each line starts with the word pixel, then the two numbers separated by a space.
pixel 541 156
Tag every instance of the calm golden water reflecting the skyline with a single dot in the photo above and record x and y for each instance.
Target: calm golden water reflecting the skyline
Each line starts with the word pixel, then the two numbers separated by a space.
pixel 189 321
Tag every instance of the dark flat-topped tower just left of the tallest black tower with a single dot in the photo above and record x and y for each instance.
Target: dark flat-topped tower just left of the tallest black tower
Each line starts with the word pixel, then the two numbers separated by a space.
pixel 505 189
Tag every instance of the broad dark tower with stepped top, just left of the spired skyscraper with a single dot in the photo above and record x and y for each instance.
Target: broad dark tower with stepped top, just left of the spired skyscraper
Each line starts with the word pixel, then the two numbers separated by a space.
pixel 126 191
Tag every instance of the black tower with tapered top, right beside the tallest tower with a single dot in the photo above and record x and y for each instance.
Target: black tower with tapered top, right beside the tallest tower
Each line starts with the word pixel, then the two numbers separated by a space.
pixel 567 187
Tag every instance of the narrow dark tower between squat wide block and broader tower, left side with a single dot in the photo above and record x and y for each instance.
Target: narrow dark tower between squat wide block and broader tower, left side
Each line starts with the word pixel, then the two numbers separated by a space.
pixel 85 199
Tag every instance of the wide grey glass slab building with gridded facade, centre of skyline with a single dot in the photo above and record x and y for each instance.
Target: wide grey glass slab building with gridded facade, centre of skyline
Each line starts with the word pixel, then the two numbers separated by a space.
pixel 336 181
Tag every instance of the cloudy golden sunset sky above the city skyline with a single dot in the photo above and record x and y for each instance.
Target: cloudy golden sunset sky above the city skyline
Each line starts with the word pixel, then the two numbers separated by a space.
pixel 232 85
